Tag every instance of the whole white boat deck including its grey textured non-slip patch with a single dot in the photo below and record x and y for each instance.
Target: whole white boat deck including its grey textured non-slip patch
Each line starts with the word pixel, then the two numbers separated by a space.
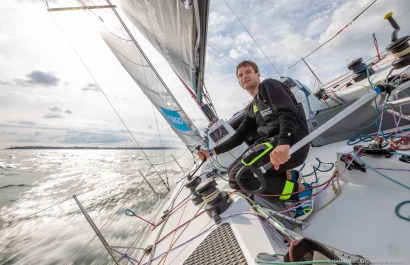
pixel 359 218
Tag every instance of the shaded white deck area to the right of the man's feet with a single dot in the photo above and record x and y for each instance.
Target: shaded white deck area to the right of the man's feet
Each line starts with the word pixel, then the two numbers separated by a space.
pixel 362 219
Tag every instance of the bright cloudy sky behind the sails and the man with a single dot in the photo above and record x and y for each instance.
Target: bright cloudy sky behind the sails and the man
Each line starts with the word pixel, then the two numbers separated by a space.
pixel 60 85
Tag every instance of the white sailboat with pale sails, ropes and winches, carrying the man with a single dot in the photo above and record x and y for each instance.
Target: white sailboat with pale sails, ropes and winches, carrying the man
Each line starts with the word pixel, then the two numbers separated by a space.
pixel 361 201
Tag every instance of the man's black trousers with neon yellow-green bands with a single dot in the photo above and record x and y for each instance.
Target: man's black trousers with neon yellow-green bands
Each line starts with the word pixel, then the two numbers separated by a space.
pixel 276 181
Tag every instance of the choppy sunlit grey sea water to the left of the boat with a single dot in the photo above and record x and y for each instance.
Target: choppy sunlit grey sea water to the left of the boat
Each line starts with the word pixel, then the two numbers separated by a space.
pixel 41 223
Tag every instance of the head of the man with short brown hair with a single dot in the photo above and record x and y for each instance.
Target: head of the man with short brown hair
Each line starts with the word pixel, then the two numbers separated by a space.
pixel 248 76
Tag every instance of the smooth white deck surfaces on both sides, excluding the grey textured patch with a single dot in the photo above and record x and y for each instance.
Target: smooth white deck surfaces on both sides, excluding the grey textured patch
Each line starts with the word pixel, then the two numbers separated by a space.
pixel 361 220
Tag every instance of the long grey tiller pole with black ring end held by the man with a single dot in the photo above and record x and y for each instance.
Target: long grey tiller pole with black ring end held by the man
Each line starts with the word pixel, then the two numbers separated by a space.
pixel 259 172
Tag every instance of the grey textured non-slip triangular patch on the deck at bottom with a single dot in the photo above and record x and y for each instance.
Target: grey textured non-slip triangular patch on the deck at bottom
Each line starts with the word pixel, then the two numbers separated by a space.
pixel 219 247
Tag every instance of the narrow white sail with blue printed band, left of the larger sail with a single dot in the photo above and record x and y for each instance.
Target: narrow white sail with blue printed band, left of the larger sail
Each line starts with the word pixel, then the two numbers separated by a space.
pixel 125 47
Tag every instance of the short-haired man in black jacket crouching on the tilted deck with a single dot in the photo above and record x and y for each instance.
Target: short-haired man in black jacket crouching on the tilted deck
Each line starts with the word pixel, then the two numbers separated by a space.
pixel 280 123
